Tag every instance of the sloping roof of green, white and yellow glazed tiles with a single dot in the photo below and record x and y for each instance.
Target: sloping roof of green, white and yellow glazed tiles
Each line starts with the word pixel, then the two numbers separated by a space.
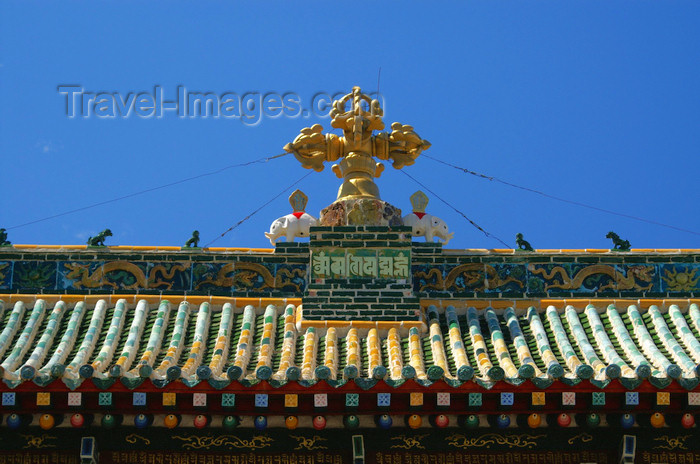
pixel 222 343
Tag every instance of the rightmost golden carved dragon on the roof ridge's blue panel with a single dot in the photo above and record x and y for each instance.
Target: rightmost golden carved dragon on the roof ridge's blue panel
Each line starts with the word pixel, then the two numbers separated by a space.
pixel 619 280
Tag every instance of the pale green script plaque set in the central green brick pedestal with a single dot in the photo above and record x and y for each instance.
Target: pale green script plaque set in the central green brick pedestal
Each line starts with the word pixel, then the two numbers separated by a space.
pixel 352 263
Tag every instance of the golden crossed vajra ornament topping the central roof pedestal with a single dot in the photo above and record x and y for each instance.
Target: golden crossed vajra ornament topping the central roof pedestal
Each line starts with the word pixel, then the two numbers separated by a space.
pixel 358 147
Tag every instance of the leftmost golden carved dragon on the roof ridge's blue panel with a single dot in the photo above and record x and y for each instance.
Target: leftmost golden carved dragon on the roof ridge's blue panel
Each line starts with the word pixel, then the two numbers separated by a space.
pixel 158 276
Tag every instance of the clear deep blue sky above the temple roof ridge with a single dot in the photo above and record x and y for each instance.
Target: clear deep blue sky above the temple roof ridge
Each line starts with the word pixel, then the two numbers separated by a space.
pixel 596 102
